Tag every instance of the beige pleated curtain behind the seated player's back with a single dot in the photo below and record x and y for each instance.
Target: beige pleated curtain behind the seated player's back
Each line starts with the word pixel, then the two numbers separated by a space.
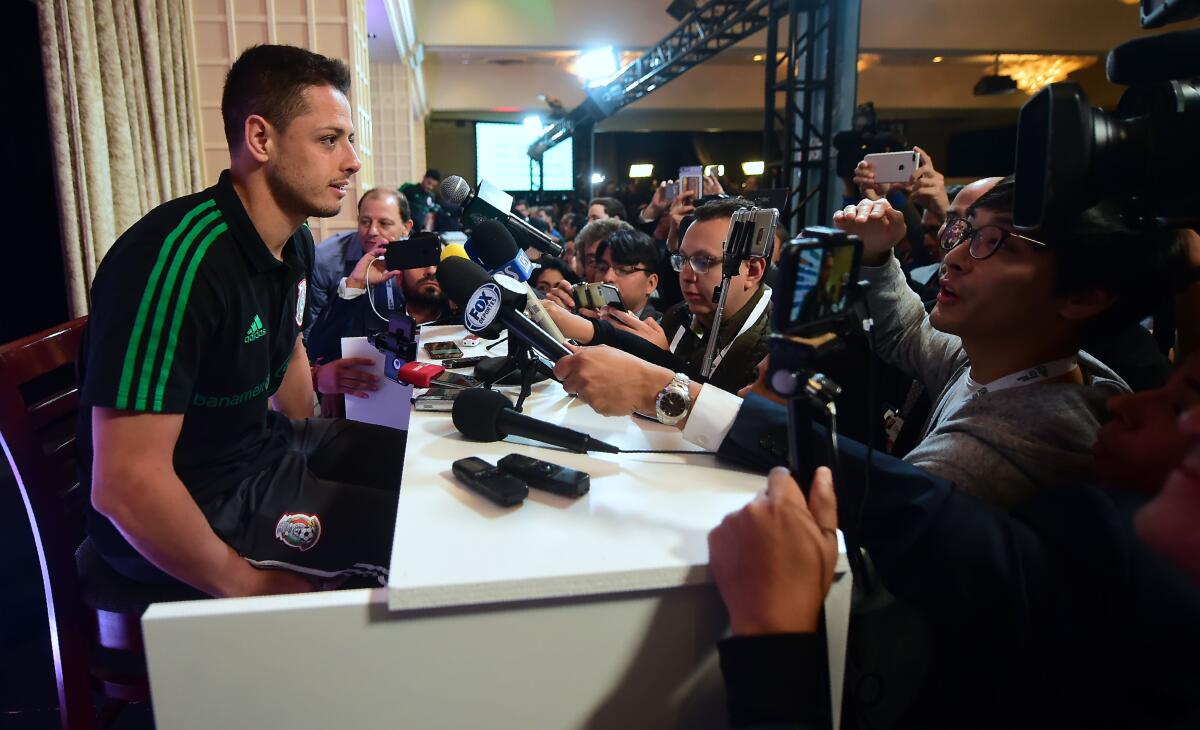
pixel 123 121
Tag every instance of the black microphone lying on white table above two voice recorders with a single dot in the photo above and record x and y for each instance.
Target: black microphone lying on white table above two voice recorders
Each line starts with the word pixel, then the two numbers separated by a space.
pixel 488 416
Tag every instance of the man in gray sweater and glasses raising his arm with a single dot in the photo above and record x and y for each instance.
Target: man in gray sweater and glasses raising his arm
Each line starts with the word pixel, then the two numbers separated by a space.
pixel 1017 404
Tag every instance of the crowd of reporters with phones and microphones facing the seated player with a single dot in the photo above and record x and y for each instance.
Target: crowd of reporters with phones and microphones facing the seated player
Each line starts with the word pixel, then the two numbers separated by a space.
pixel 1030 541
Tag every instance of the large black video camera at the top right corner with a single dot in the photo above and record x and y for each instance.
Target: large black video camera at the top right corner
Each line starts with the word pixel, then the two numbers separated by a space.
pixel 1071 157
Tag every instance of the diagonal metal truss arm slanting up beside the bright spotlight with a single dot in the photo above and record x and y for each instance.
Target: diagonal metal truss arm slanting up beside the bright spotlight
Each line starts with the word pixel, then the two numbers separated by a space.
pixel 709 31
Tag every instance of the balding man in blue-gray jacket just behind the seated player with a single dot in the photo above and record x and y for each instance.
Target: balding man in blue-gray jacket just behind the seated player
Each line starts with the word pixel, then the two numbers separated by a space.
pixel 383 217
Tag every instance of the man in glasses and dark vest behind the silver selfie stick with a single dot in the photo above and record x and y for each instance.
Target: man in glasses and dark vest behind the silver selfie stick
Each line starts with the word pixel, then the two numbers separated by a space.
pixel 679 343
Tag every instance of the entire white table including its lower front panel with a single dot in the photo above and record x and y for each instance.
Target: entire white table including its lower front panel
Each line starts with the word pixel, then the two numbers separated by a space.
pixel 590 613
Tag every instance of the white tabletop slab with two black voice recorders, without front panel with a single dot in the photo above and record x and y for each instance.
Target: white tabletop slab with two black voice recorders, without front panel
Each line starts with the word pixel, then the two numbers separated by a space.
pixel 644 525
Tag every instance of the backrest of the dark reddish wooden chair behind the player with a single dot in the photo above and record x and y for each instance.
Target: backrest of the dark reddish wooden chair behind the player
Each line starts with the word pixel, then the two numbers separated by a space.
pixel 39 410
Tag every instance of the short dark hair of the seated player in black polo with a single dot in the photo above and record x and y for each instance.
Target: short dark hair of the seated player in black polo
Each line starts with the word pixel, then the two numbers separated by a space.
pixel 271 81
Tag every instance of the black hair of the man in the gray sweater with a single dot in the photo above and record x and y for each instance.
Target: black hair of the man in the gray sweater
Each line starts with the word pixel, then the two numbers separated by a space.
pixel 1096 249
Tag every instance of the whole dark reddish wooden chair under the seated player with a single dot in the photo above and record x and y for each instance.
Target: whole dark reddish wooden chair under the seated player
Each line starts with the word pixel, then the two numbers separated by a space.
pixel 94 613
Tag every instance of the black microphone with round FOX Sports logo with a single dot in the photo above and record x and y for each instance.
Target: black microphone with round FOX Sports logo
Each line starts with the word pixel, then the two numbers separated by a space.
pixel 488 302
